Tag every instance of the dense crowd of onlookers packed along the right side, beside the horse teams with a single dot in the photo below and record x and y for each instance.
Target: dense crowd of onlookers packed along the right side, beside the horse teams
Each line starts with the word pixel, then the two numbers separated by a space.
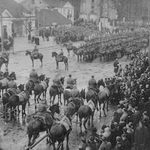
pixel 130 125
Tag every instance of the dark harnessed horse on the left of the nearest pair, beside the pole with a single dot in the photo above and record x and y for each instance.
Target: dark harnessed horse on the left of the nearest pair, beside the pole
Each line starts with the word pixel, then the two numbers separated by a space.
pixel 40 122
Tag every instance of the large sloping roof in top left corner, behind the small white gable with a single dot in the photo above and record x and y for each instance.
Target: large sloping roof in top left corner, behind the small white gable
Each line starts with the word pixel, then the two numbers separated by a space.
pixel 13 7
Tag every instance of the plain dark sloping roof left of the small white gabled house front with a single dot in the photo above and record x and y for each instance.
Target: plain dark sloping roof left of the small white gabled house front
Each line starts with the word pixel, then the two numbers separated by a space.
pixel 48 17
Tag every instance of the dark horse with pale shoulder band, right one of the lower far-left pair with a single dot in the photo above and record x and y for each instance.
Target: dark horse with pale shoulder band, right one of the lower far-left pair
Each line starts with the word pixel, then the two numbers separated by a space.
pixel 19 99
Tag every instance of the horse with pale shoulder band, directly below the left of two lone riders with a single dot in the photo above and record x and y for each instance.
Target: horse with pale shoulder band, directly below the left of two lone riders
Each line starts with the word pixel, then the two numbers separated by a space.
pixel 40 88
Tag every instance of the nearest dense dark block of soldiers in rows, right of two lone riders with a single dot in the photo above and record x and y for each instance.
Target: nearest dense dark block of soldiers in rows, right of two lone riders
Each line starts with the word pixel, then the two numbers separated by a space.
pixel 107 48
